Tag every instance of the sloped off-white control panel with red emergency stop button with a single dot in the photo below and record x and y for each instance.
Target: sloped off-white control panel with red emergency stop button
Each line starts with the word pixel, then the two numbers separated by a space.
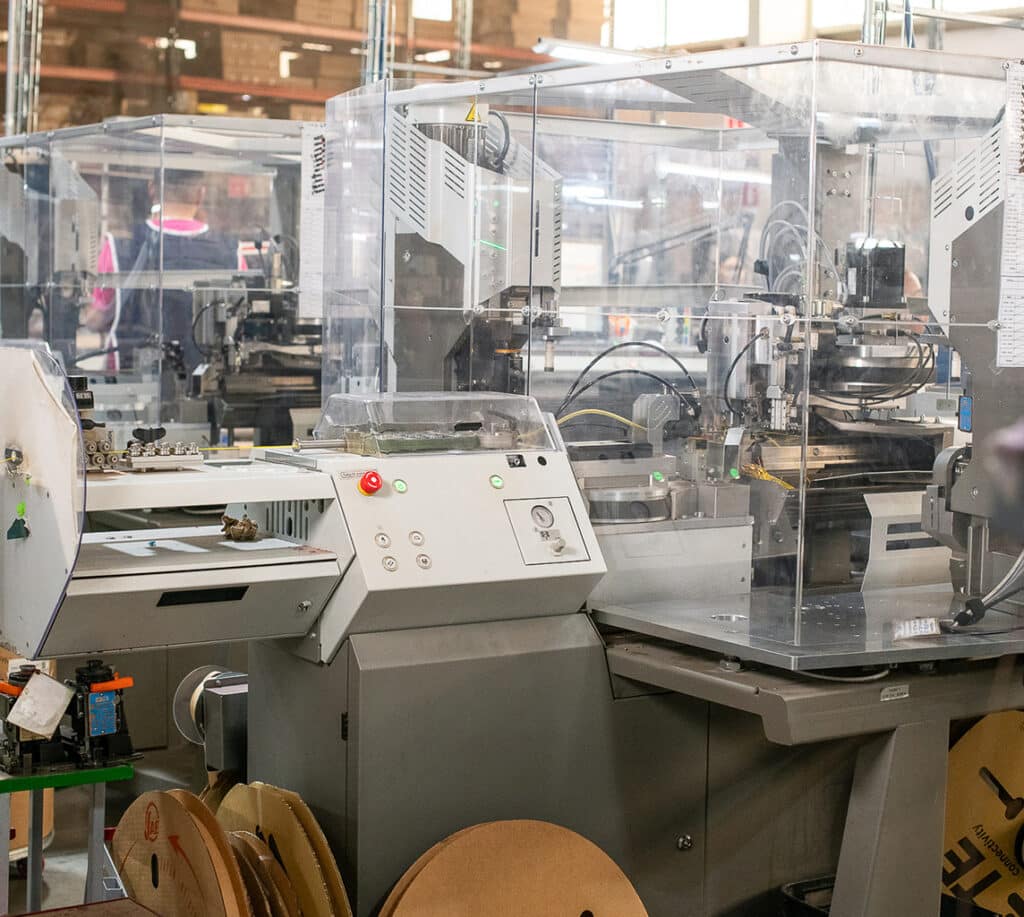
pixel 458 538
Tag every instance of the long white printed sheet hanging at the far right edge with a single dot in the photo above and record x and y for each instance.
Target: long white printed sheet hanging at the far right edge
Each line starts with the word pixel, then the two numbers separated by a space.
pixel 1010 339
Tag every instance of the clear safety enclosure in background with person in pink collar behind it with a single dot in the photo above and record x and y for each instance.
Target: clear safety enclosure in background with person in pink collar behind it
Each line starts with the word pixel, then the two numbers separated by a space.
pixel 161 256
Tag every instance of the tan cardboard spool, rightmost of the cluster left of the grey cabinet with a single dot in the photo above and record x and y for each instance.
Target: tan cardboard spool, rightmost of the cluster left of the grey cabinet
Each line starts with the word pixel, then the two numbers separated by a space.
pixel 266 814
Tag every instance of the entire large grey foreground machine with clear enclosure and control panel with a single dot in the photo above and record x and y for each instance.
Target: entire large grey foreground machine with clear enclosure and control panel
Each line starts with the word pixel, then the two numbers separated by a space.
pixel 680 597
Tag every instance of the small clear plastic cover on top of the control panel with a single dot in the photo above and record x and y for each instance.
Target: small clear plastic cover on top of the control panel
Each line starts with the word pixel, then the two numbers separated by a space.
pixel 420 422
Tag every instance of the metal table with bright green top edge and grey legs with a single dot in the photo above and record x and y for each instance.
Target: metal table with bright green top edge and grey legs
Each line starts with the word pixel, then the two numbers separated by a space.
pixel 35 784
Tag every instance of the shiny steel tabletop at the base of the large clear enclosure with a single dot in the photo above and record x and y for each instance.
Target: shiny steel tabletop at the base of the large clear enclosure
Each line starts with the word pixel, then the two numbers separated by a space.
pixel 831 632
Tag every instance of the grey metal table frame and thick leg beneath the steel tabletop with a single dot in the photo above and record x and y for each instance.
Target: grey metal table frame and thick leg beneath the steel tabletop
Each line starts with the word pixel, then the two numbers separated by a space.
pixel 890 862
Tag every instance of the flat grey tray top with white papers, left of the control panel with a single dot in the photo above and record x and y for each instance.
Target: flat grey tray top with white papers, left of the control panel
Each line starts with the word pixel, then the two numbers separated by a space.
pixel 163 551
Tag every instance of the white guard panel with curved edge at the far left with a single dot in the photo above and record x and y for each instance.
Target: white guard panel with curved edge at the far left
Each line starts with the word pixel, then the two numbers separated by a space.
pixel 42 494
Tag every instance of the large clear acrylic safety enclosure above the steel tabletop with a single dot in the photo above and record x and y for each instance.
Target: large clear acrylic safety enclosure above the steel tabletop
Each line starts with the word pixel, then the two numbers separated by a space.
pixel 733 278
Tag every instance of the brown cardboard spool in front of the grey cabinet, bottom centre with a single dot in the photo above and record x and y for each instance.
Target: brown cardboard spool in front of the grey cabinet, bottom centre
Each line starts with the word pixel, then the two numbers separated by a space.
pixel 521 867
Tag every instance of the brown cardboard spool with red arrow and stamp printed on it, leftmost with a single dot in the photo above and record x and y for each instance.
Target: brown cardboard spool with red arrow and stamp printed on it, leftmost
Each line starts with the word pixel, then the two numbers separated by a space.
pixel 164 862
